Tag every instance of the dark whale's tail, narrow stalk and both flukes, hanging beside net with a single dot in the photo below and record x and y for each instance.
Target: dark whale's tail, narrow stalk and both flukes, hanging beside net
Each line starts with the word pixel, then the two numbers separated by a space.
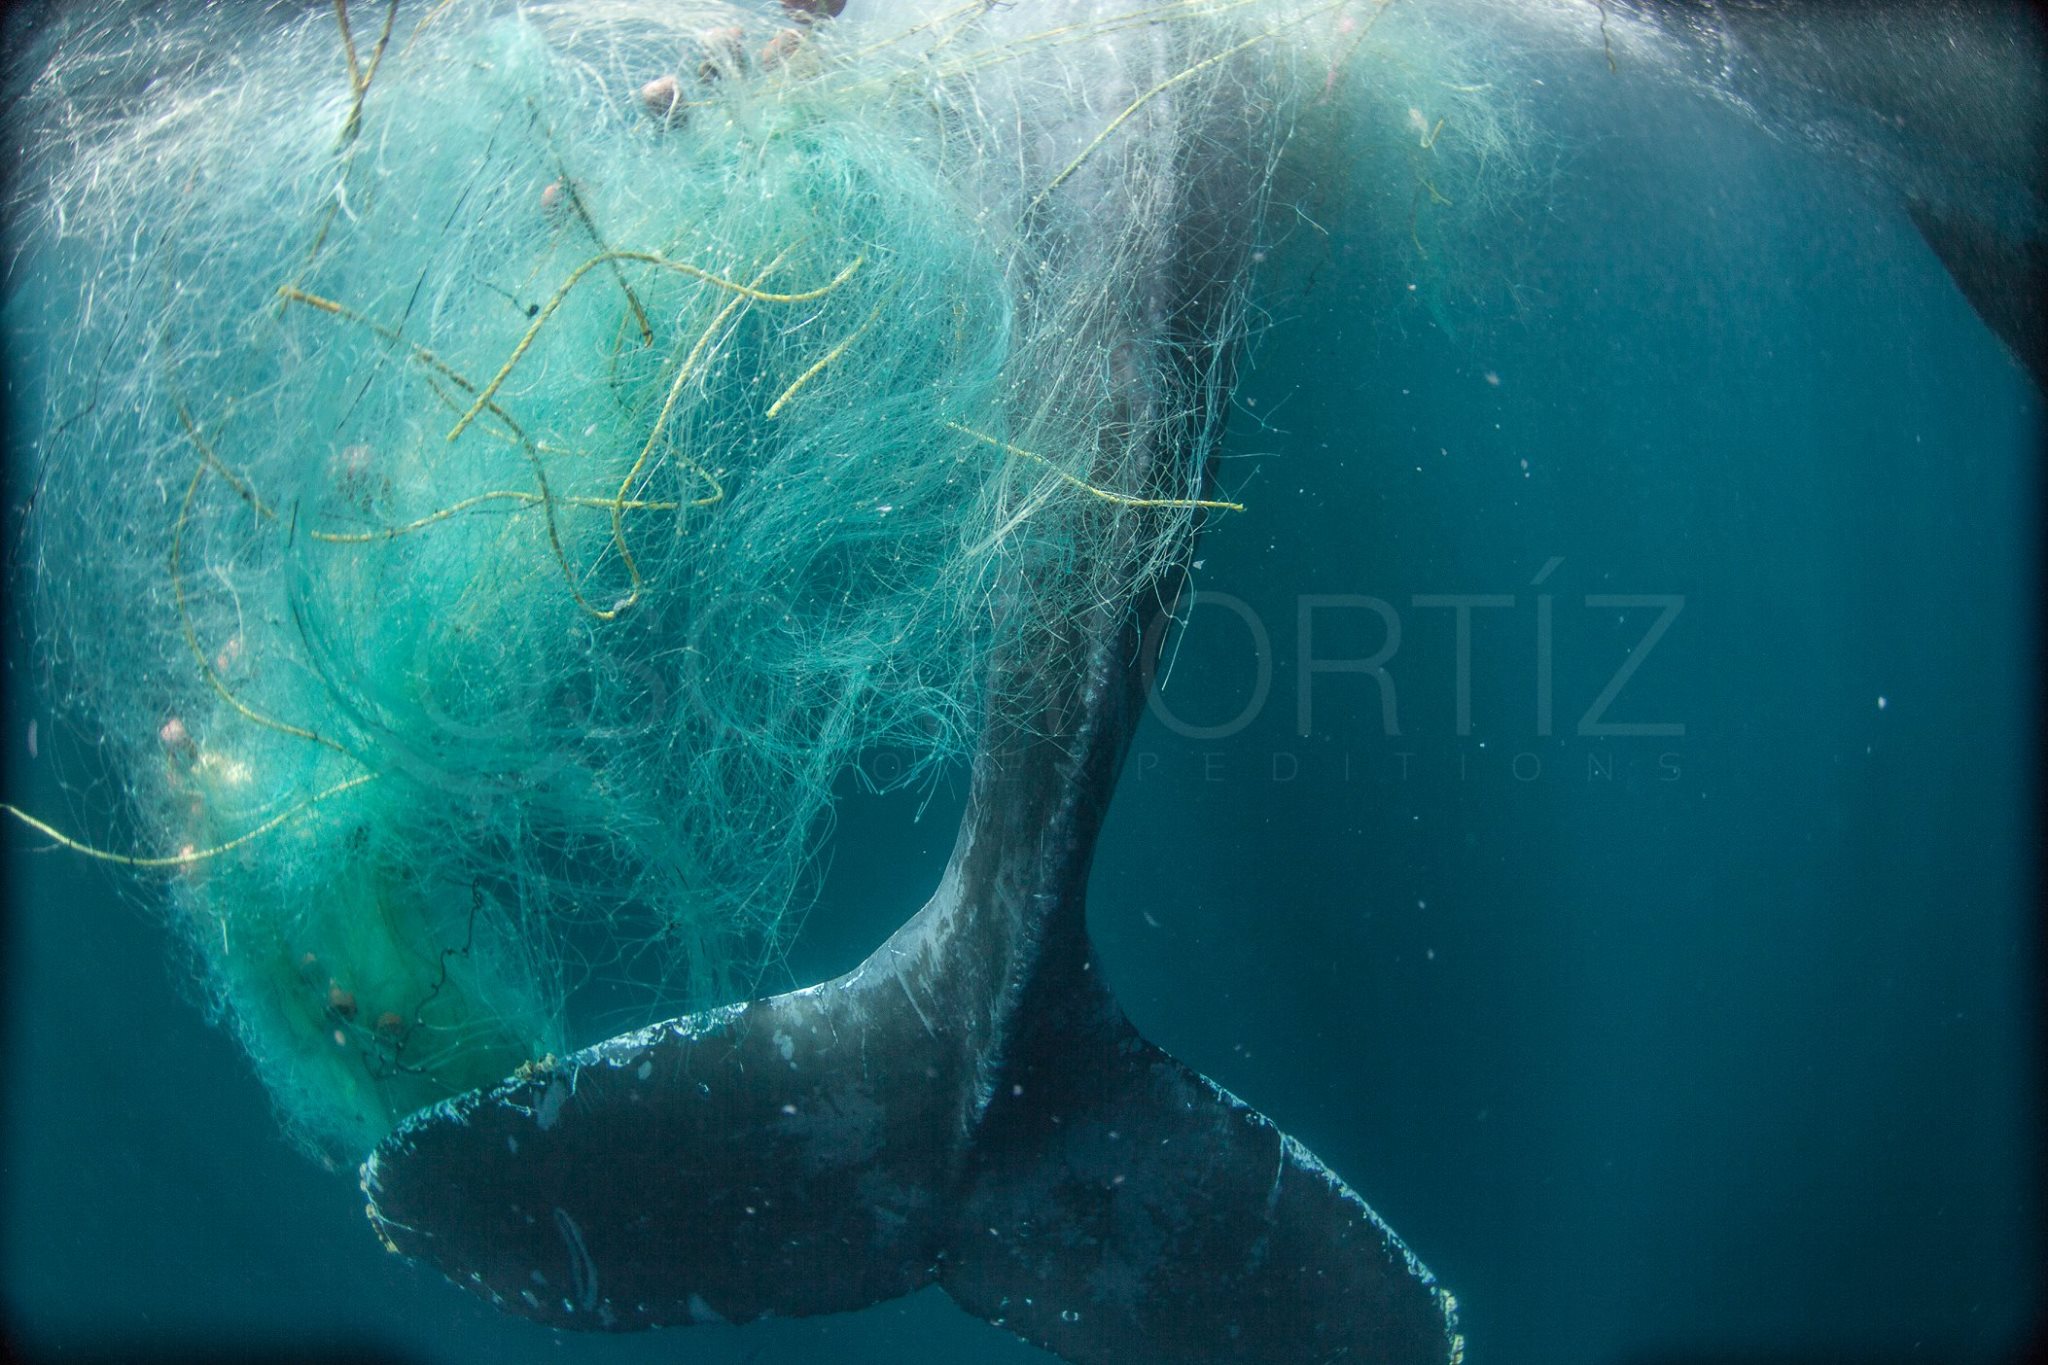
pixel 970 1106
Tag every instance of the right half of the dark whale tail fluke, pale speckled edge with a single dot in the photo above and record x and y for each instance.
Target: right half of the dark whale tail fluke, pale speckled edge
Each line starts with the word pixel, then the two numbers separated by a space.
pixel 1121 1208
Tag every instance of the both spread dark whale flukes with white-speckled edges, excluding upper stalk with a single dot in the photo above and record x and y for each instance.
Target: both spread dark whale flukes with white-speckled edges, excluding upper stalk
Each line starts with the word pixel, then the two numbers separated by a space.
pixel 855 1141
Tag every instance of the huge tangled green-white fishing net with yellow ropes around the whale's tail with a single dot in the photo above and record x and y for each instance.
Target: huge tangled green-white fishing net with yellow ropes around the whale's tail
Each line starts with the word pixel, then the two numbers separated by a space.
pixel 501 466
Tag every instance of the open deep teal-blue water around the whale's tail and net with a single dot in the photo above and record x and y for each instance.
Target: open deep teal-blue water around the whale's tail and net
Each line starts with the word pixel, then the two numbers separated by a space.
pixel 1691 1024
